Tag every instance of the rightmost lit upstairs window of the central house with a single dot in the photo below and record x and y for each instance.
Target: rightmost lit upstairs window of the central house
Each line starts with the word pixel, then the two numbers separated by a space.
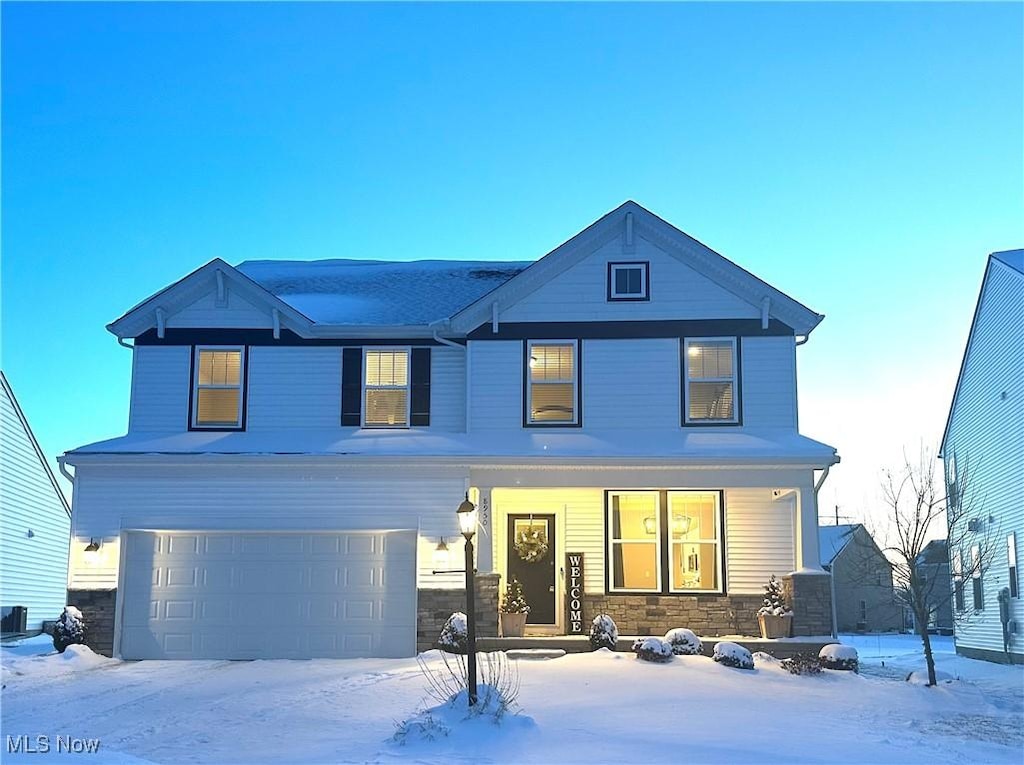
pixel 710 380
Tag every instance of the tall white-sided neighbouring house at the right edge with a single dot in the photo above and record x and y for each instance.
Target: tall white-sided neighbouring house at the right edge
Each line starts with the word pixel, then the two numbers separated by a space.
pixel 985 437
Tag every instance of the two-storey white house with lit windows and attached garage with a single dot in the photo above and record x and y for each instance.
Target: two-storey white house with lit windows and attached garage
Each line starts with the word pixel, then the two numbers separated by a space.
pixel 302 435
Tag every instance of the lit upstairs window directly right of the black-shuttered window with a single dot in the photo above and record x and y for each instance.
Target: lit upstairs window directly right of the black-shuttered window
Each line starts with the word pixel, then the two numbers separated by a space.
pixel 552 384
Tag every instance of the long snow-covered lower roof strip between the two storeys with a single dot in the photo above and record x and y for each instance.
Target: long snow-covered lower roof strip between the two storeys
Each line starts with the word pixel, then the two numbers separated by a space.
pixel 736 447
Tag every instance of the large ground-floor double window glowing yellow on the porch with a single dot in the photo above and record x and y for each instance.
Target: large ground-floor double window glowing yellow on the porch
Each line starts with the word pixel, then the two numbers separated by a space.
pixel 665 542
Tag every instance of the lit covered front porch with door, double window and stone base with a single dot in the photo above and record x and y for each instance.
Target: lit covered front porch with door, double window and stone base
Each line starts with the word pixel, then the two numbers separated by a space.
pixel 656 548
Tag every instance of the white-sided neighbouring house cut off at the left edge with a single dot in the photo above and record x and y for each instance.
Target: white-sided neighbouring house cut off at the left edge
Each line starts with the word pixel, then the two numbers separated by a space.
pixel 35 523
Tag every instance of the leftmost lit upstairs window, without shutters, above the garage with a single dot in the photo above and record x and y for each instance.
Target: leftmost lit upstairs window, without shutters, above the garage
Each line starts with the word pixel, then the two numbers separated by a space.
pixel 219 396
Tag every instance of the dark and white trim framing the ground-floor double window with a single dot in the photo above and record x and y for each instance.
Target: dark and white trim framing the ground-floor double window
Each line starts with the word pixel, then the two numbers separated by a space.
pixel 665 554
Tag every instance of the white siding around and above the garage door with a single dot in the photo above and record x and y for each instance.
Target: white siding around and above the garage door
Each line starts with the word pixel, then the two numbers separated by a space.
pixel 275 495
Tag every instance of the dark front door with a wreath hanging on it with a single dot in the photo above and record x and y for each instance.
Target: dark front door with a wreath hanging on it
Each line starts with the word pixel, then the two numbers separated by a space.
pixel 532 563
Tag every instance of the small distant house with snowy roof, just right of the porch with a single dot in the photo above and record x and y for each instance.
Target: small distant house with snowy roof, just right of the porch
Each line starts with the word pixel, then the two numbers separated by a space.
pixel 865 600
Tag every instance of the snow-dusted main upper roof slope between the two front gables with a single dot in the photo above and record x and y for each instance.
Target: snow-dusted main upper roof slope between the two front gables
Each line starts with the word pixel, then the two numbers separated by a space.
pixel 378 292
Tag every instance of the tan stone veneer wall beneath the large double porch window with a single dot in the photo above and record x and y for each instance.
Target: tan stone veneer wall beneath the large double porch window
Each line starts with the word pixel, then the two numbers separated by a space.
pixel 656 615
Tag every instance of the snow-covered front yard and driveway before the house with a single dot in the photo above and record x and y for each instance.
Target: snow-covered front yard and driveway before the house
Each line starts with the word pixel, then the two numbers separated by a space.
pixel 586 708
